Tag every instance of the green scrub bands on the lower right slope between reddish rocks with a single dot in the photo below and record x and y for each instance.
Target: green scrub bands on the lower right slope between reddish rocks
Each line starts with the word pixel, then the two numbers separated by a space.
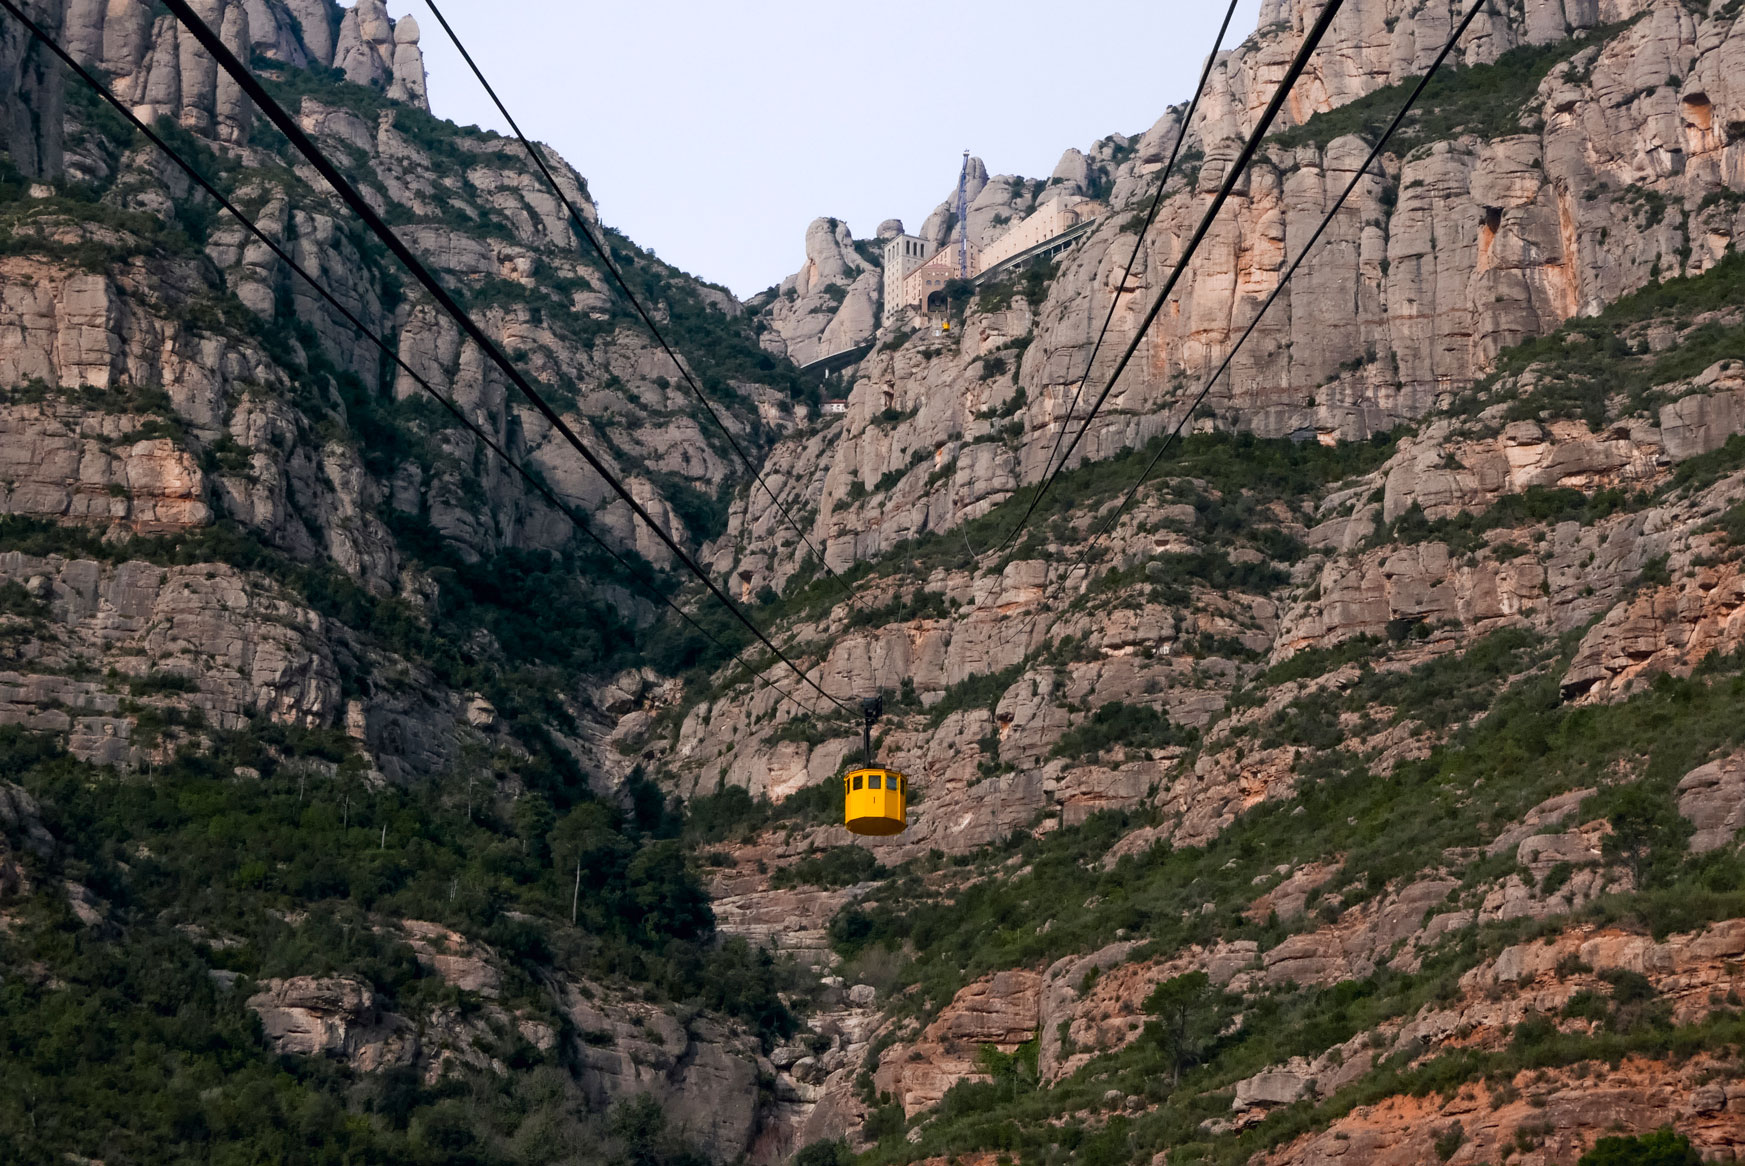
pixel 1524 750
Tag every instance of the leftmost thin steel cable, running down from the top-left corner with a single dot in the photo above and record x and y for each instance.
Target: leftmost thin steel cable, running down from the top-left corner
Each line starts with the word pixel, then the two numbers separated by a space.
pixel 373 336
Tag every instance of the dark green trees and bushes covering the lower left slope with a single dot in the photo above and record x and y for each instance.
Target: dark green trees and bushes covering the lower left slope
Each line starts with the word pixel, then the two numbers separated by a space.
pixel 132 1043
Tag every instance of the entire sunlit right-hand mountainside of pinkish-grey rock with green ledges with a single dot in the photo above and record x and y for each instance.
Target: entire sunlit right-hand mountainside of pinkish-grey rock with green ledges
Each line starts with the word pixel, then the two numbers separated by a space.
pixel 1512 378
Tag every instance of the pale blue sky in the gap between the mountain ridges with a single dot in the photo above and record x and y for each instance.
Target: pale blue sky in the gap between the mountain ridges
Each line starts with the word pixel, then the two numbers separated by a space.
pixel 715 132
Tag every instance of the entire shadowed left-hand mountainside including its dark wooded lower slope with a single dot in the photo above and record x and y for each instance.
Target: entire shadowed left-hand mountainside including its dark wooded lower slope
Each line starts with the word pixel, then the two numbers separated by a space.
pixel 249 565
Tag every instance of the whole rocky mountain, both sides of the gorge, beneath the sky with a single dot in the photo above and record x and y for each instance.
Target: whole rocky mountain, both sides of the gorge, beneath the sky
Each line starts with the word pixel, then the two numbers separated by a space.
pixel 1372 788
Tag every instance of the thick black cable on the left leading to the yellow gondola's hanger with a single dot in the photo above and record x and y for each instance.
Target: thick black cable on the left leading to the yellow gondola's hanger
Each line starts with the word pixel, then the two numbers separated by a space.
pixel 317 158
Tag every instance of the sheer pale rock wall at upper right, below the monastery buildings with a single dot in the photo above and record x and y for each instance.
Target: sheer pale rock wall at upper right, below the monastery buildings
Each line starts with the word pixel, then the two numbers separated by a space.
pixel 1460 247
